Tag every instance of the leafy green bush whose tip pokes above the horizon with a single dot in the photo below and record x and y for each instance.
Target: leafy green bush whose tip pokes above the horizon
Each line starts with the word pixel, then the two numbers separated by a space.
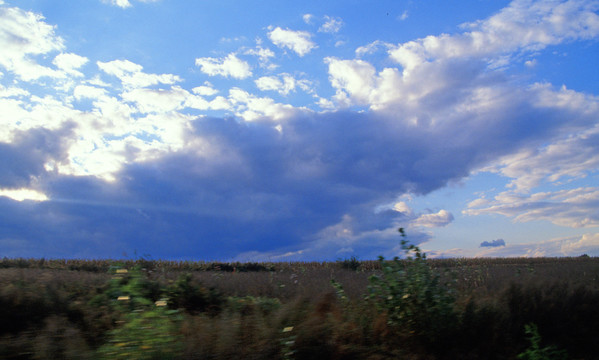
pixel 411 294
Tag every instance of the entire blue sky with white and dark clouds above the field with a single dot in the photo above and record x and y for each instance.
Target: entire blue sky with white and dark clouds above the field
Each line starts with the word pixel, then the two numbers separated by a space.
pixel 286 131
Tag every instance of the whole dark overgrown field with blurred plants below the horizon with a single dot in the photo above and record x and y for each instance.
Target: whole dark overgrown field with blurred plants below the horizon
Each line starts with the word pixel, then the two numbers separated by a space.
pixel 416 308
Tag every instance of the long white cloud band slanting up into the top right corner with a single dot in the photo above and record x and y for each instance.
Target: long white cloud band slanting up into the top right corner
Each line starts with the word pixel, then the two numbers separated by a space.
pixel 522 25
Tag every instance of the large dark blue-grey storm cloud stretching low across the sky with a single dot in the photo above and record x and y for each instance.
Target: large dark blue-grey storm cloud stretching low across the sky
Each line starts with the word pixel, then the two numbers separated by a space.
pixel 248 188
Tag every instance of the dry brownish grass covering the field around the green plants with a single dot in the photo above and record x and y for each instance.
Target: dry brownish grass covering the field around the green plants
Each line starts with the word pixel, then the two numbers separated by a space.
pixel 49 308
